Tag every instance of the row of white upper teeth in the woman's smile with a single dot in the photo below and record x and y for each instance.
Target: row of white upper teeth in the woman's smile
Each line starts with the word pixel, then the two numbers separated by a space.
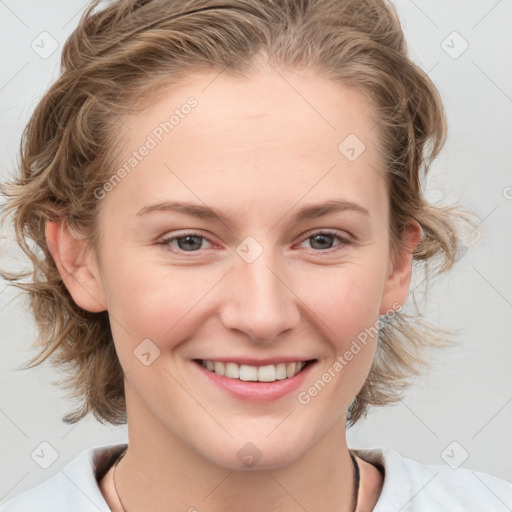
pixel 268 373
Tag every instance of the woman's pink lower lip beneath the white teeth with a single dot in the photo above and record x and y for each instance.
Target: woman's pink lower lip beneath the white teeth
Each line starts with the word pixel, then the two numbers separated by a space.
pixel 257 391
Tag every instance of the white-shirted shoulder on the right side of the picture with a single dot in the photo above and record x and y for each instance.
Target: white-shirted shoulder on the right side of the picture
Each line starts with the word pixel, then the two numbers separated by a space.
pixel 410 486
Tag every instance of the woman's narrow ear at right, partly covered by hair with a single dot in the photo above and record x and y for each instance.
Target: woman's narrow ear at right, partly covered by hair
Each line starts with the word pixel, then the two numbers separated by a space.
pixel 397 283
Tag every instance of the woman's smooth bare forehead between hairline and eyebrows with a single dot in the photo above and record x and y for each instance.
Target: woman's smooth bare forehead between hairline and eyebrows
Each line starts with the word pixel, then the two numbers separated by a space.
pixel 273 137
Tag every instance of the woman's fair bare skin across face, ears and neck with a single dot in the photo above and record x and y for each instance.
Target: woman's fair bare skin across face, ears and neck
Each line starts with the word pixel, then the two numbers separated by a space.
pixel 257 150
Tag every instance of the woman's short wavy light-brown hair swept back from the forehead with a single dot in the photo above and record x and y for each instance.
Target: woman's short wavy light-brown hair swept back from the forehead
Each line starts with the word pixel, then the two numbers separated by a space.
pixel 133 49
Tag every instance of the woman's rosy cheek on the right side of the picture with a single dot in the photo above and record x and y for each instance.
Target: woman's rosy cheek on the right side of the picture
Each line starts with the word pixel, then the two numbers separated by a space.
pixel 345 302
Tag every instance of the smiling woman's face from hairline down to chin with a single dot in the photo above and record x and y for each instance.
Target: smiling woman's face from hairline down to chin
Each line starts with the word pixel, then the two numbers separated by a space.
pixel 293 265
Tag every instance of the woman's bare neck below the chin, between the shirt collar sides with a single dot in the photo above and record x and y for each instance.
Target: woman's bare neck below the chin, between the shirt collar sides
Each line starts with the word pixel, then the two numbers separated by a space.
pixel 159 472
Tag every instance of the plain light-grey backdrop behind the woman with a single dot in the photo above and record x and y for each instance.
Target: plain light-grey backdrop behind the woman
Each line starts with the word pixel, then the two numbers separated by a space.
pixel 462 410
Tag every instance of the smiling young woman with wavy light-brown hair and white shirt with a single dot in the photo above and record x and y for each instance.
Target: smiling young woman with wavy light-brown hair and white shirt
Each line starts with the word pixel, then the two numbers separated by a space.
pixel 227 198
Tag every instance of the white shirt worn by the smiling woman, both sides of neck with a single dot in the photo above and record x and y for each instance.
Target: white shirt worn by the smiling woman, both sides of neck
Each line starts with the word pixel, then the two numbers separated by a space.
pixel 408 486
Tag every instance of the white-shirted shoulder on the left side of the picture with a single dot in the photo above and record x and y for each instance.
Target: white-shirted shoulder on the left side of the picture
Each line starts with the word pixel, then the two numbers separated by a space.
pixel 73 489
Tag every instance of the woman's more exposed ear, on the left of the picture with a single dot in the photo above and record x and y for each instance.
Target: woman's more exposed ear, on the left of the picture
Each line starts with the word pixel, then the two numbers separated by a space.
pixel 77 266
